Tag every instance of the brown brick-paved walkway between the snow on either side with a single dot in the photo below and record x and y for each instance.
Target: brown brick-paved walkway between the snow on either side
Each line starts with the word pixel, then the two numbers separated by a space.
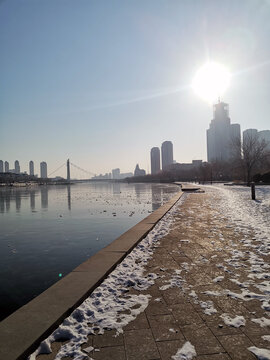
pixel 199 241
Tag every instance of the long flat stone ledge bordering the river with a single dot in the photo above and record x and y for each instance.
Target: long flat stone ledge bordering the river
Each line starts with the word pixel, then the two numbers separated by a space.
pixel 22 332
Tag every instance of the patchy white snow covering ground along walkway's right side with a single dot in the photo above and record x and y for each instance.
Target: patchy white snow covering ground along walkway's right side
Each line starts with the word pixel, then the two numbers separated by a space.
pixel 252 219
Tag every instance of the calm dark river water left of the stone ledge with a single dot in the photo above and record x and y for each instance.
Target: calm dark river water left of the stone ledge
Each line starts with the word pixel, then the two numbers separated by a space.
pixel 46 231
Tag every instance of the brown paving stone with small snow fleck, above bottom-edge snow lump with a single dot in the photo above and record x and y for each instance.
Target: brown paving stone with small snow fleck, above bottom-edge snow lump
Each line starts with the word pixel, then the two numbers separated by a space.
pixel 164 327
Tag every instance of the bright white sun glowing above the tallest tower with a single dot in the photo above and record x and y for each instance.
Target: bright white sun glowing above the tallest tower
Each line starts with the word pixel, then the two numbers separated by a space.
pixel 211 81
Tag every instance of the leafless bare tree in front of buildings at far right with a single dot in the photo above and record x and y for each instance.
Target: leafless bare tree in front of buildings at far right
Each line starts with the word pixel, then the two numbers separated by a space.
pixel 254 153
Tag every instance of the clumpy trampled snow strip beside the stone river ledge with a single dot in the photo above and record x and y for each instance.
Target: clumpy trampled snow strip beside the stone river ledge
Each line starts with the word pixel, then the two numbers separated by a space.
pixel 111 306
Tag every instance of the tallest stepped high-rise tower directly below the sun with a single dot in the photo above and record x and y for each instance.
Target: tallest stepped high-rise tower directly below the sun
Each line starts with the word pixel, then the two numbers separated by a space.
pixel 221 135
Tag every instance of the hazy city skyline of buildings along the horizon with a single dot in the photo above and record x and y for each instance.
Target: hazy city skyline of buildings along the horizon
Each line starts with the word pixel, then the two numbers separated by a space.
pixel 220 137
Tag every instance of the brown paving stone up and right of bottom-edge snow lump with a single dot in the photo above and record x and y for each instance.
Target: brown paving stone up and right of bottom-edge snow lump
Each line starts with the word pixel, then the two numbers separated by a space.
pixel 202 338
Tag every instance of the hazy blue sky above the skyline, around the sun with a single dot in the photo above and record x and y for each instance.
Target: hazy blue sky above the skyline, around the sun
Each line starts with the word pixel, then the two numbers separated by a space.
pixel 101 82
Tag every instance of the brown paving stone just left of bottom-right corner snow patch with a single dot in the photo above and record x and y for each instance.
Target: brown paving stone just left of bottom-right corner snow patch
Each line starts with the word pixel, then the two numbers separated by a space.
pixel 236 346
